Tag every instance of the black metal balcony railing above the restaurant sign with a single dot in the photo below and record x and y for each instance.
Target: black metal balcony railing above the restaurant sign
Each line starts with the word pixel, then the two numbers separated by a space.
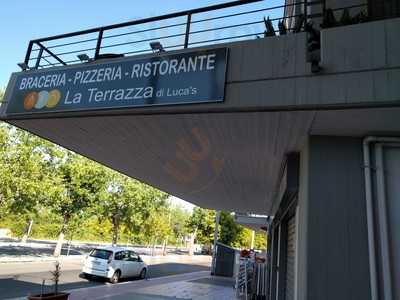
pixel 227 22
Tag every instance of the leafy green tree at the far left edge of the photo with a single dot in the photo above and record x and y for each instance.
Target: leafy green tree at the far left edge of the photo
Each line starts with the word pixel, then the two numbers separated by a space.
pixel 25 182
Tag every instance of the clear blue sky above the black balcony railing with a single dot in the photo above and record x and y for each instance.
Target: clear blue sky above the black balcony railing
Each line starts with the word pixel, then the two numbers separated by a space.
pixel 22 21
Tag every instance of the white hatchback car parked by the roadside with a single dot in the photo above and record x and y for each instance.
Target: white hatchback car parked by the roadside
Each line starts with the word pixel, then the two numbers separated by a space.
pixel 114 263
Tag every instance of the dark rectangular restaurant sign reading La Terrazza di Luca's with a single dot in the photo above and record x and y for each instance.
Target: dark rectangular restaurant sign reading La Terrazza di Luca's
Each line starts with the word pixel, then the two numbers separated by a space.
pixel 165 79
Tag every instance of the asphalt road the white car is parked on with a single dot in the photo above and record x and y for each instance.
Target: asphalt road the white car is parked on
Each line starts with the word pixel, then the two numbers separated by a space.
pixel 21 279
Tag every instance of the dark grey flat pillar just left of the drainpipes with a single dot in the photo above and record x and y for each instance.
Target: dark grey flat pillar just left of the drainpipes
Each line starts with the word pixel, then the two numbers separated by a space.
pixel 333 240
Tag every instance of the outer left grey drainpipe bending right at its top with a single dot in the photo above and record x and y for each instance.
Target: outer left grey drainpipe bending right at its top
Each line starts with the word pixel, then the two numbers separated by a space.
pixel 369 203
